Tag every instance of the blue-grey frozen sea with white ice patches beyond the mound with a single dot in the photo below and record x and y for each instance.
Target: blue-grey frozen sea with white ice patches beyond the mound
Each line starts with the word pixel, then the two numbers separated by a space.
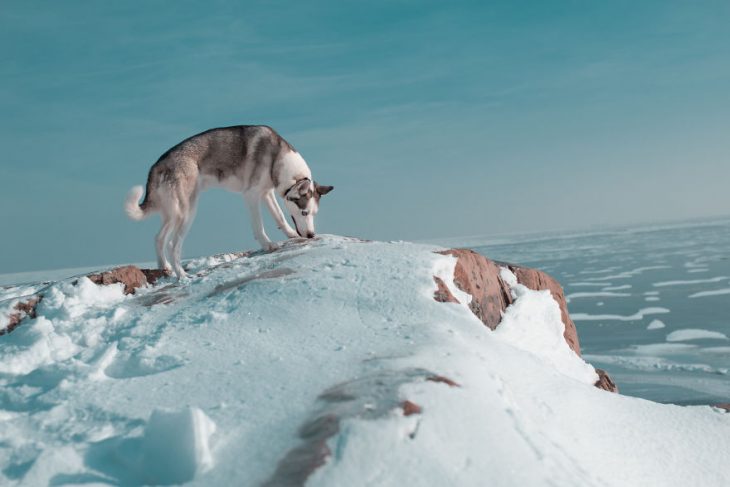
pixel 652 305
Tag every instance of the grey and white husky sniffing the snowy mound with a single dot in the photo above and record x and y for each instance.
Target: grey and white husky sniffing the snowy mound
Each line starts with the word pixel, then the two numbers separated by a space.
pixel 250 159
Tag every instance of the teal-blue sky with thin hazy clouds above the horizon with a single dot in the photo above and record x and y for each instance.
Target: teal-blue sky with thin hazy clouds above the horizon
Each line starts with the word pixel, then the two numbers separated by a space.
pixel 431 119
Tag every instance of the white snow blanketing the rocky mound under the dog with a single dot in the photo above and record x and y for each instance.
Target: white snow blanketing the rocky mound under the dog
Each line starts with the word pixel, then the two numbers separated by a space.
pixel 243 373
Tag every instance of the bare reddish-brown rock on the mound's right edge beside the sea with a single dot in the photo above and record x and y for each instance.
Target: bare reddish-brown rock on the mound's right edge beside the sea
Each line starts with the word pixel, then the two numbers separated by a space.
pixel 480 278
